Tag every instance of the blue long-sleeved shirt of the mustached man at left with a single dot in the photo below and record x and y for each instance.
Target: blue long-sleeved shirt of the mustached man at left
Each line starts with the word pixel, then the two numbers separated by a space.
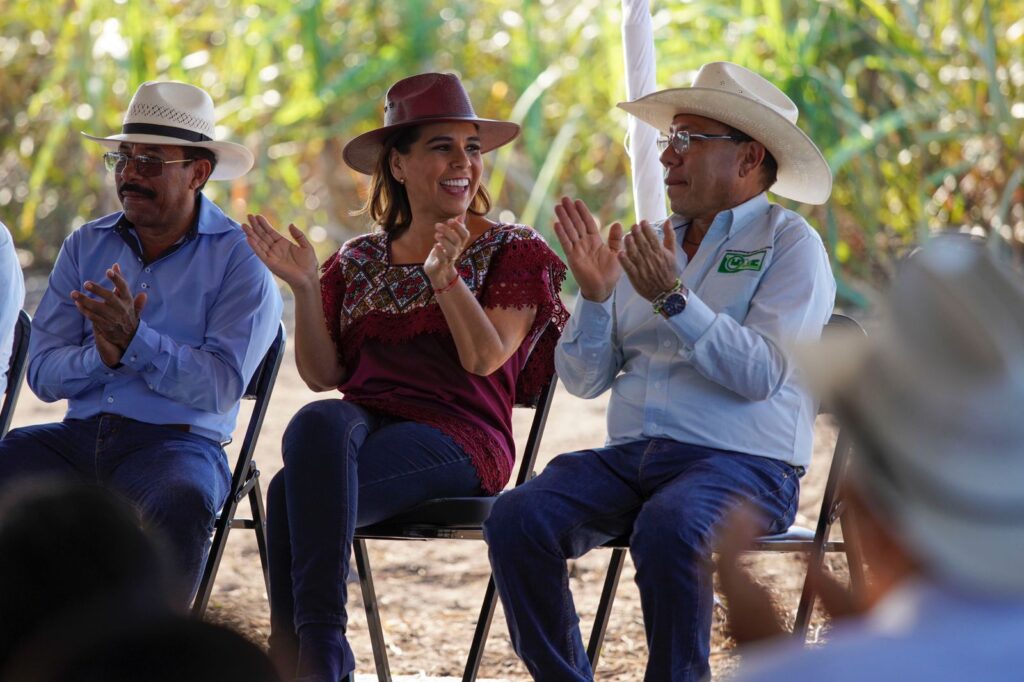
pixel 212 312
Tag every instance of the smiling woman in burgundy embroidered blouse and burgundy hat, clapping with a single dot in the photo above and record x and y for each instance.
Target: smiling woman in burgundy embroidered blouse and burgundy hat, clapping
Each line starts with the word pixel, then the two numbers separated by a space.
pixel 433 327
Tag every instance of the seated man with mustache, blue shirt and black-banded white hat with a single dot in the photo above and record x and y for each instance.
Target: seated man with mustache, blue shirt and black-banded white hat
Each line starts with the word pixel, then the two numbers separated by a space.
pixel 154 322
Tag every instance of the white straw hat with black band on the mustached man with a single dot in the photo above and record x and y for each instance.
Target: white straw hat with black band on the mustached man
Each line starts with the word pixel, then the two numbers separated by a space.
pixel 174 113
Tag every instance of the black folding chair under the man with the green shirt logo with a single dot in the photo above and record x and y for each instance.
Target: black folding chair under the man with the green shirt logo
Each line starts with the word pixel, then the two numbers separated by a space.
pixel 797 539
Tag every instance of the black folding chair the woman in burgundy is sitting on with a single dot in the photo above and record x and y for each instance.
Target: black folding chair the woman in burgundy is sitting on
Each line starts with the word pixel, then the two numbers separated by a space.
pixel 448 519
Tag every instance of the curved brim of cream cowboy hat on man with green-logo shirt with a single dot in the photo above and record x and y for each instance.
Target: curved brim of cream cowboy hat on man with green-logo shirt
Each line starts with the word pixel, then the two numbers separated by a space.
pixel 803 173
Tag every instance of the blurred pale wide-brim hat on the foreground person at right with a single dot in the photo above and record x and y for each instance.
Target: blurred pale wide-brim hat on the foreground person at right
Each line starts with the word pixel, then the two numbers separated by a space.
pixel 935 399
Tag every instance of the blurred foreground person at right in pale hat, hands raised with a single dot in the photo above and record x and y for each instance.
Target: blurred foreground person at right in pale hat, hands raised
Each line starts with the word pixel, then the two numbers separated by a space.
pixel 936 486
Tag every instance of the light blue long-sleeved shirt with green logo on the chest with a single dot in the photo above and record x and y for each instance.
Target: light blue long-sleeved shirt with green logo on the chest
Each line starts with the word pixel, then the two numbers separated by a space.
pixel 717 374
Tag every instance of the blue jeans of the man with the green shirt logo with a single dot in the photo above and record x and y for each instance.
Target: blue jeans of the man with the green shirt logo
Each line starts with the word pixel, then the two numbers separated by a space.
pixel 668 497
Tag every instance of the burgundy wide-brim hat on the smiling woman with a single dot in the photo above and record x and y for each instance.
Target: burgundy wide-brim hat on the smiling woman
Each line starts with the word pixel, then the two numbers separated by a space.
pixel 419 101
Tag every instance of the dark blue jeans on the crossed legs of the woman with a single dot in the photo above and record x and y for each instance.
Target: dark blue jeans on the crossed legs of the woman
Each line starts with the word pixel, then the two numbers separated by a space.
pixel 345 467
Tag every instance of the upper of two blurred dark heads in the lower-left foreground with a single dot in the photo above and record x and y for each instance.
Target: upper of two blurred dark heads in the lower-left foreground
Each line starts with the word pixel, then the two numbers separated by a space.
pixel 70 548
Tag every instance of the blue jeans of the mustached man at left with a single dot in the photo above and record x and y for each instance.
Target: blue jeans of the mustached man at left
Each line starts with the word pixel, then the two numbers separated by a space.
pixel 178 481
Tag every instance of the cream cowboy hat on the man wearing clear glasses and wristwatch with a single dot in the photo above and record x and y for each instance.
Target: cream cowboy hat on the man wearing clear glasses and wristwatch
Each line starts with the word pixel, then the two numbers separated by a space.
pixel 741 99
